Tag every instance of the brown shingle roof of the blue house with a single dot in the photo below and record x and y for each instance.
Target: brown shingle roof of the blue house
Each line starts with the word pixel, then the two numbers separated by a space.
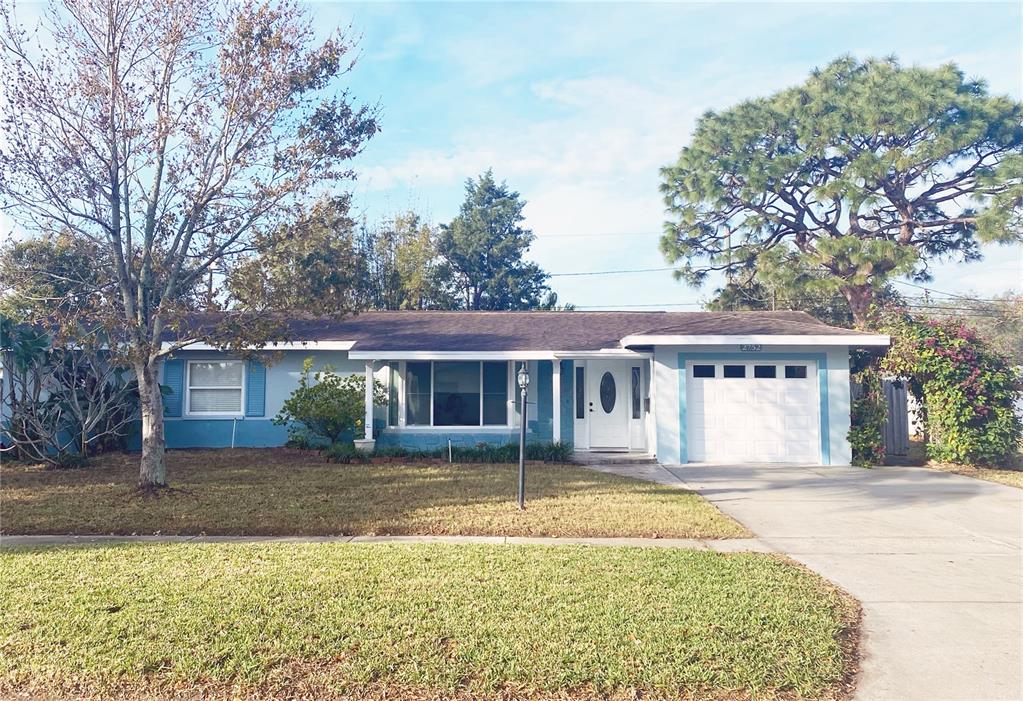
pixel 559 331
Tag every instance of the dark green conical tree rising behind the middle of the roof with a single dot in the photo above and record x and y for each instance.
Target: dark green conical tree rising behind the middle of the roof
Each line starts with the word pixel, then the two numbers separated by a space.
pixel 483 250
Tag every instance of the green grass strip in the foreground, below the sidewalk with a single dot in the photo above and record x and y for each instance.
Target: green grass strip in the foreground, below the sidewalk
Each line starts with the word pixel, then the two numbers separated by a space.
pixel 418 622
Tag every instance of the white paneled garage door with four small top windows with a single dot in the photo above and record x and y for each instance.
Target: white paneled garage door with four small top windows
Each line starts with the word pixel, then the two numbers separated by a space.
pixel 753 412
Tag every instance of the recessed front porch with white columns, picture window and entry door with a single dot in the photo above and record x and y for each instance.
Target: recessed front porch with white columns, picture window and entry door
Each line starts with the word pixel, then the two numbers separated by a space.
pixel 600 403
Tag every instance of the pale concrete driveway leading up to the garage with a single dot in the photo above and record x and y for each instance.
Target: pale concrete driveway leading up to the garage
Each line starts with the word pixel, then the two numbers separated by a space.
pixel 936 559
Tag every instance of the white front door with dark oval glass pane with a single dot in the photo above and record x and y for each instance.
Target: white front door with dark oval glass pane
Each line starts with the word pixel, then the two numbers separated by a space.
pixel 608 406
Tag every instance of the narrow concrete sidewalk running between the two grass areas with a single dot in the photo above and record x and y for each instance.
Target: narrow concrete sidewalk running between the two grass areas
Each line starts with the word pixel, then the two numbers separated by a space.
pixel 727 546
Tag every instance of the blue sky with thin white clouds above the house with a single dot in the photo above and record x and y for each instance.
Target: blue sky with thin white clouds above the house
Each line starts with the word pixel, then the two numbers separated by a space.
pixel 579 105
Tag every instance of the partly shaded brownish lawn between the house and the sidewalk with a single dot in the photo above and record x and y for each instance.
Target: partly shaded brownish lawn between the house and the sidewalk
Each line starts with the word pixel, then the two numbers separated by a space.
pixel 294 493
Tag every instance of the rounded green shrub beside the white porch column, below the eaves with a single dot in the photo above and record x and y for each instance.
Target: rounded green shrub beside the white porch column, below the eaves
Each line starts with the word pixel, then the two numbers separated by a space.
pixel 330 409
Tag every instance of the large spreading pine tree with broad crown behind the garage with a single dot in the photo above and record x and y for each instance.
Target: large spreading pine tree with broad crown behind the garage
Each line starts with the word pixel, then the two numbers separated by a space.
pixel 868 171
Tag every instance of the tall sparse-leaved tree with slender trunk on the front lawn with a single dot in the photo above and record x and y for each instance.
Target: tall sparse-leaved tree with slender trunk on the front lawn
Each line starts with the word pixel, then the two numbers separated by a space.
pixel 171 135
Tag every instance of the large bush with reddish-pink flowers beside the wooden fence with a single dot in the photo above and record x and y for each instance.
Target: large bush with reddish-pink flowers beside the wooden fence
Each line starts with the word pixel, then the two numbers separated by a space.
pixel 967 390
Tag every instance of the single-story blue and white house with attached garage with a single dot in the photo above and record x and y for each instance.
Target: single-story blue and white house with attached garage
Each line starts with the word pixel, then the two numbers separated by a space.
pixel 718 387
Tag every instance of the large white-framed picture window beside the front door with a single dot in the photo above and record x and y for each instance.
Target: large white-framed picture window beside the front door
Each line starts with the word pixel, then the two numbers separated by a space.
pixel 457 393
